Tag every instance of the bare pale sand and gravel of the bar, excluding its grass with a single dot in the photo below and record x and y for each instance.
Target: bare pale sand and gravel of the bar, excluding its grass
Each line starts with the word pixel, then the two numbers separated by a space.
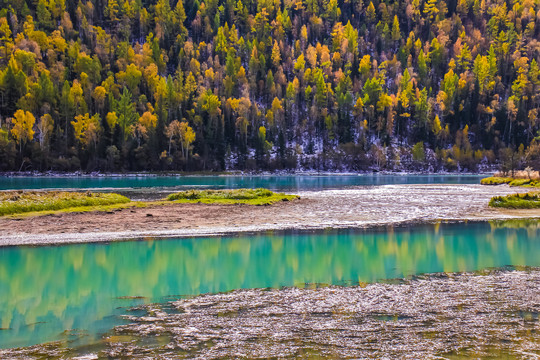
pixel 354 207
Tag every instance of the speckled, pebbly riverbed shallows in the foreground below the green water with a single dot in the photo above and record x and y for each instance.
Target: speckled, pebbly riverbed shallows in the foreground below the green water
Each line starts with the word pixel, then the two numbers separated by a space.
pixel 491 314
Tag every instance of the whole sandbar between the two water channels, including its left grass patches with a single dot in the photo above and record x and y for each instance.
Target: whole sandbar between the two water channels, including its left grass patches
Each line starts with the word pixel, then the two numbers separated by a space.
pixel 94 217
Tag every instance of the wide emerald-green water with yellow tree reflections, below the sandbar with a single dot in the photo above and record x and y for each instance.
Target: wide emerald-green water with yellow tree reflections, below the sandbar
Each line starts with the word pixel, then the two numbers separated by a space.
pixel 47 290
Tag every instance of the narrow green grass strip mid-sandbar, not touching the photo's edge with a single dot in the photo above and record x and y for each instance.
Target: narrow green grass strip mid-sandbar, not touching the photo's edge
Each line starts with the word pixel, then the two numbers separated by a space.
pixel 238 196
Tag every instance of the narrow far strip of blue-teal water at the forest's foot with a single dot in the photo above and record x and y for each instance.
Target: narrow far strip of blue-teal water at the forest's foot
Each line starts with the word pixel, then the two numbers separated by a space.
pixel 285 182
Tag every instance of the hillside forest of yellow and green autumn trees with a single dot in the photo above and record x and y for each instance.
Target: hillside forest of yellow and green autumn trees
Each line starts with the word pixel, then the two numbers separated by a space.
pixel 136 85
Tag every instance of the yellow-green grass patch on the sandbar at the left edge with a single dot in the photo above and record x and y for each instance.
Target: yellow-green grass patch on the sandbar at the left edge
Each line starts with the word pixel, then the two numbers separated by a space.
pixel 19 202
